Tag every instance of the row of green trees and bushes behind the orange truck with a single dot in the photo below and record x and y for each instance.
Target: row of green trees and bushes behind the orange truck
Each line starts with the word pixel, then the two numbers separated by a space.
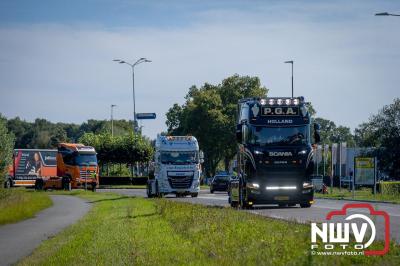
pixel 124 147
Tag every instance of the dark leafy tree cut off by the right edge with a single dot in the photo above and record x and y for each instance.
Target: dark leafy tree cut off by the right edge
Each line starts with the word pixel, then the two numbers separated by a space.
pixel 383 131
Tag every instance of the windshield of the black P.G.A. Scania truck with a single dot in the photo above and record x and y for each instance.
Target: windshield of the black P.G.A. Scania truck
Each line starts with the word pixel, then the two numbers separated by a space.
pixel 283 136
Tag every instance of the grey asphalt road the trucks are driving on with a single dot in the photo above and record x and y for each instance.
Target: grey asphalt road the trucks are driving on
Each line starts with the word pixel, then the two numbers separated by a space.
pixel 316 213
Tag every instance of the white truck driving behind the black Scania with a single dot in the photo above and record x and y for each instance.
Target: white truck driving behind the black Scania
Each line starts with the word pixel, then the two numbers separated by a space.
pixel 177 167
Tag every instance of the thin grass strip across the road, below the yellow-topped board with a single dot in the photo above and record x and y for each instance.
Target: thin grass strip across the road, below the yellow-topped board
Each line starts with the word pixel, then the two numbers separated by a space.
pixel 360 194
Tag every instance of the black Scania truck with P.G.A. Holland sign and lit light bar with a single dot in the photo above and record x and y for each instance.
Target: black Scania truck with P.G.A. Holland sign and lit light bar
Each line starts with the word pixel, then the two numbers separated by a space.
pixel 275 154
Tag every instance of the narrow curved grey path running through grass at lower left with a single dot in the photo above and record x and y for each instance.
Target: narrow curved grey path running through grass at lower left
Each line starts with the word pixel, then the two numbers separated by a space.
pixel 20 239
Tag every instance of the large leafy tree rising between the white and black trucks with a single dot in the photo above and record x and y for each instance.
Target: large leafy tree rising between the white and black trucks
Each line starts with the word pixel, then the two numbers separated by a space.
pixel 210 114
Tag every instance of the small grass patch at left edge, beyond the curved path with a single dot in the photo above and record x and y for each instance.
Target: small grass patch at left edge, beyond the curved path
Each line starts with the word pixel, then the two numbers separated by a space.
pixel 19 203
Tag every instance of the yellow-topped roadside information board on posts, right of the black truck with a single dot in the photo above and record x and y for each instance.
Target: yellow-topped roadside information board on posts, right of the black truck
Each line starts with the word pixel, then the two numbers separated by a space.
pixel 364 171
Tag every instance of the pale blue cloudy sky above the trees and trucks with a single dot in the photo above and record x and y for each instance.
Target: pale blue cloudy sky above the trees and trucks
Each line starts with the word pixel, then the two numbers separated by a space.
pixel 56 56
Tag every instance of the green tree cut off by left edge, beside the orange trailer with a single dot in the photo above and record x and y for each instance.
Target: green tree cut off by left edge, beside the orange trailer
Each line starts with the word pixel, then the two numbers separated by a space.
pixel 6 149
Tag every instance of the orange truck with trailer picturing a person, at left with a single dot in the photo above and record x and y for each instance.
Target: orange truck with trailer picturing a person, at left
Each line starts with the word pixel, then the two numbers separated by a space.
pixel 70 166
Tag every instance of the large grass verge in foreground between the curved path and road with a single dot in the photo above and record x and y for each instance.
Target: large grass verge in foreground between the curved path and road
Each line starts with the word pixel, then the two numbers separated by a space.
pixel 120 230
